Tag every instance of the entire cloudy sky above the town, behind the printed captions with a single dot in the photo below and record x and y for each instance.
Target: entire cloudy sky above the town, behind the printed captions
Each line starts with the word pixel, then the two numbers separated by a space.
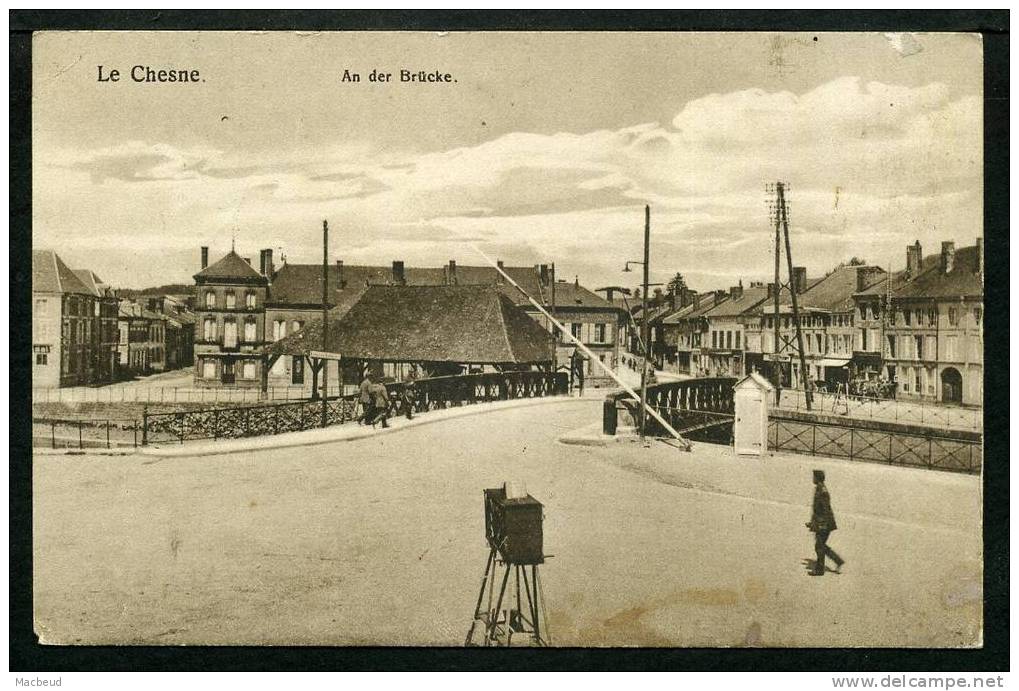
pixel 546 148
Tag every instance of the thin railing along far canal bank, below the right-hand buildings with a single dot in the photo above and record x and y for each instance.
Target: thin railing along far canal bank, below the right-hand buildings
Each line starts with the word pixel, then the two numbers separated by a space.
pixel 890 410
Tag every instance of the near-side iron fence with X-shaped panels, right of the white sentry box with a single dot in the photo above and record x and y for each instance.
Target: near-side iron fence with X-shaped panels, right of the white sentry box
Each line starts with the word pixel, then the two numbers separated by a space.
pixel 960 453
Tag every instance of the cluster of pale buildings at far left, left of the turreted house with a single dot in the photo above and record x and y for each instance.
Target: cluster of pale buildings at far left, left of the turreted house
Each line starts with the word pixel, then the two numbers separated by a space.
pixel 85 335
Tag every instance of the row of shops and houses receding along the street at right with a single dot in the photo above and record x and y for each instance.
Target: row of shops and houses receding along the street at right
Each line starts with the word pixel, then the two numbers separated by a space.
pixel 917 334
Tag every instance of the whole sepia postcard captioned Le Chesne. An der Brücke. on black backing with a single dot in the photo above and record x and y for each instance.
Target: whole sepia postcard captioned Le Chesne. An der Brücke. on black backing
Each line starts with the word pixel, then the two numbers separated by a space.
pixel 669 340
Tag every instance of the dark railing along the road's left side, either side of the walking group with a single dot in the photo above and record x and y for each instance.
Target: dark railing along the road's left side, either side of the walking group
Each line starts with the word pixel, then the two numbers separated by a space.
pixel 430 395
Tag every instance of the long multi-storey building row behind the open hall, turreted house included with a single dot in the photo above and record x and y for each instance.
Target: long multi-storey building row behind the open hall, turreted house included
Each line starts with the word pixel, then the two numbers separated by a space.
pixel 242 310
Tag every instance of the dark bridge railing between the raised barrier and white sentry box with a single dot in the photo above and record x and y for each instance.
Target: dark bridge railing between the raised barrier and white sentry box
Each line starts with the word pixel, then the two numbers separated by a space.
pixel 680 403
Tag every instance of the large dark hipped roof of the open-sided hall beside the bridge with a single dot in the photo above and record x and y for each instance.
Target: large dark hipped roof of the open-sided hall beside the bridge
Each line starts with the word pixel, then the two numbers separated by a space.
pixel 440 324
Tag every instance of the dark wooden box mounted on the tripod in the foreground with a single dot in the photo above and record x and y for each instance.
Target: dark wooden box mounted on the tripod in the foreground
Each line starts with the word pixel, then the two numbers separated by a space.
pixel 513 526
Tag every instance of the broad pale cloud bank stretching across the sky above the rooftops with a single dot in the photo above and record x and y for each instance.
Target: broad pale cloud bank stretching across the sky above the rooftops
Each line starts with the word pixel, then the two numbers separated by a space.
pixel 871 167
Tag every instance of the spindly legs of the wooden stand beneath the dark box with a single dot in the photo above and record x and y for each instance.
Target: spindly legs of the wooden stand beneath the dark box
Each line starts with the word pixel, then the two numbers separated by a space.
pixel 499 625
